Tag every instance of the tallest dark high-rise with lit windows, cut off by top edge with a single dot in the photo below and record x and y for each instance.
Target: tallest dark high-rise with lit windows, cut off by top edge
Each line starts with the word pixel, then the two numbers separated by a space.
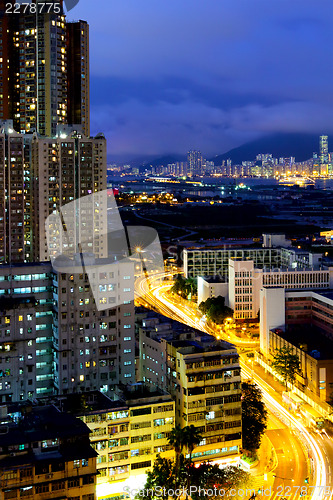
pixel 36 50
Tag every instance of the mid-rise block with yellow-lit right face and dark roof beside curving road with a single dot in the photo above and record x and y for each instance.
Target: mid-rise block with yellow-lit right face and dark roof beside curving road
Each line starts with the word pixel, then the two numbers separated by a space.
pixel 203 376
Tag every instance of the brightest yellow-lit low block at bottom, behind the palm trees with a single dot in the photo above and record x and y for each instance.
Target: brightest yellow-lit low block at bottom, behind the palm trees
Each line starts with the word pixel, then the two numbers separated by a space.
pixel 127 434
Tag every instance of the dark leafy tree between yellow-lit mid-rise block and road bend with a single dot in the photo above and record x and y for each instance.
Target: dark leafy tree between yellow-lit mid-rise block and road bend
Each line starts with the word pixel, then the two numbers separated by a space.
pixel 254 417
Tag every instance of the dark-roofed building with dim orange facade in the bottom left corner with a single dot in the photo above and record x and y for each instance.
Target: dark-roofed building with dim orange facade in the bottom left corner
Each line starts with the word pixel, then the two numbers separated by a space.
pixel 45 454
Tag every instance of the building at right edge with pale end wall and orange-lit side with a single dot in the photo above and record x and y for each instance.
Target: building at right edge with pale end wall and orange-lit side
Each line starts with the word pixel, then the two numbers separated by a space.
pixel 302 320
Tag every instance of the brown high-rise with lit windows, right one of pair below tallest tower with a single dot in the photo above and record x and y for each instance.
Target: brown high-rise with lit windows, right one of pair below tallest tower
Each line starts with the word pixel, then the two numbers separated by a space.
pixel 66 168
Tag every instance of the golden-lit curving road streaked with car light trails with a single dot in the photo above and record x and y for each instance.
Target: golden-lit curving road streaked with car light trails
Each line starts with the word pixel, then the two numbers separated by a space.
pixel 300 452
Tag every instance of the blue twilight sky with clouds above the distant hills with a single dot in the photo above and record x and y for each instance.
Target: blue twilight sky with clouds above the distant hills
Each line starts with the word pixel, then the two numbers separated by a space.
pixel 170 75
